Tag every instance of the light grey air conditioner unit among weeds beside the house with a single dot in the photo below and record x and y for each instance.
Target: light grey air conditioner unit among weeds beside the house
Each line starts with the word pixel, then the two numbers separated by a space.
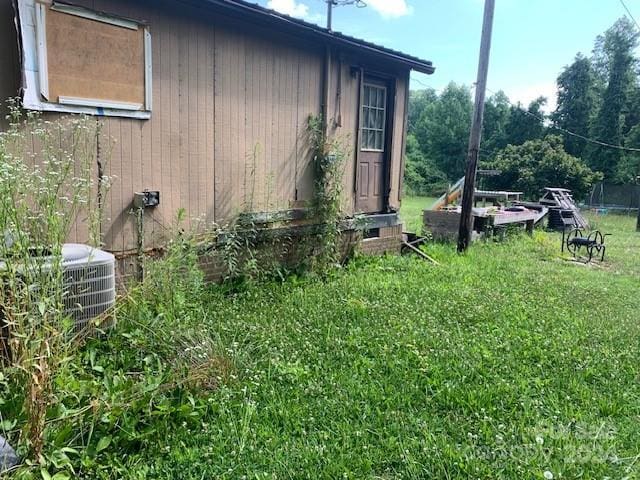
pixel 89 282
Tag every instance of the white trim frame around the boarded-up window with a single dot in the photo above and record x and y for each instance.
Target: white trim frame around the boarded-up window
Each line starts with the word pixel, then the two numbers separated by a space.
pixel 36 78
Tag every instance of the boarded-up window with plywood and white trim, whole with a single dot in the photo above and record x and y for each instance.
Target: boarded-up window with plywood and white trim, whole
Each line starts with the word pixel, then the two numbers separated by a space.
pixel 87 62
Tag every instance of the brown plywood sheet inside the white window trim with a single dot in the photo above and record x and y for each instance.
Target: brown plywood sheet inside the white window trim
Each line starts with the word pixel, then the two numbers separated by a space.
pixel 89 59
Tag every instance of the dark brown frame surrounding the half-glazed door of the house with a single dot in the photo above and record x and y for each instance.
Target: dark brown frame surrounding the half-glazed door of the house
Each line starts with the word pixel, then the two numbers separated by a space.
pixel 389 81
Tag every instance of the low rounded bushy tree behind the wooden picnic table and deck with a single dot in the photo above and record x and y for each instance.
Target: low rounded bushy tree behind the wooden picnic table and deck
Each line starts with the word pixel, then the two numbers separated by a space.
pixel 541 163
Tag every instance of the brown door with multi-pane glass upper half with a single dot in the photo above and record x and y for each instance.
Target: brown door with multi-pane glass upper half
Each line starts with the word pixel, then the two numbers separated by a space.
pixel 372 157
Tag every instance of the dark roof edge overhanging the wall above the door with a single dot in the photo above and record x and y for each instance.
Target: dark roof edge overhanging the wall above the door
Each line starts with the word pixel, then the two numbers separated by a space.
pixel 246 8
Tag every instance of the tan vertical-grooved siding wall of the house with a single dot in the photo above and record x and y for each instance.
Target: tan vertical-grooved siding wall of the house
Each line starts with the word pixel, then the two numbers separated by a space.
pixel 228 127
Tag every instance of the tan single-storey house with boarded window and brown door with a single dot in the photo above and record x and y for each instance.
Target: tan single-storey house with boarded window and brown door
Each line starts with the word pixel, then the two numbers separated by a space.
pixel 208 102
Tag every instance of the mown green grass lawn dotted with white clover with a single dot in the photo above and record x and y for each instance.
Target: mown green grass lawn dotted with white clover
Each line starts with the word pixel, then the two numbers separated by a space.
pixel 508 362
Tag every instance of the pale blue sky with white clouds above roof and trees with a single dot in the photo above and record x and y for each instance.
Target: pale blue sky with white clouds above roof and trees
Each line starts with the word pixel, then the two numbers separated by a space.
pixel 532 39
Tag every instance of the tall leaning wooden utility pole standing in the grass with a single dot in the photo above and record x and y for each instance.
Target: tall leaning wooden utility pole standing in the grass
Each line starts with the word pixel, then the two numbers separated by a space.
pixel 466 219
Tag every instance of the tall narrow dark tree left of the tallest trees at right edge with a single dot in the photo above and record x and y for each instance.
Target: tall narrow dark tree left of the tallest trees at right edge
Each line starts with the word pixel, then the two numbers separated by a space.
pixel 576 103
